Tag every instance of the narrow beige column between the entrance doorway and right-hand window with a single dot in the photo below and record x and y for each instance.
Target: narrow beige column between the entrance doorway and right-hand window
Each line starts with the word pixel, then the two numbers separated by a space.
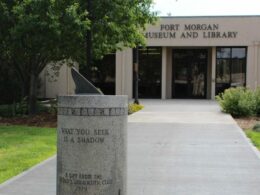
pixel 213 75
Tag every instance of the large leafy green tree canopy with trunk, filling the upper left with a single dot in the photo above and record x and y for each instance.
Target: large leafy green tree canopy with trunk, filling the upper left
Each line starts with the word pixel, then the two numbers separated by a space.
pixel 36 32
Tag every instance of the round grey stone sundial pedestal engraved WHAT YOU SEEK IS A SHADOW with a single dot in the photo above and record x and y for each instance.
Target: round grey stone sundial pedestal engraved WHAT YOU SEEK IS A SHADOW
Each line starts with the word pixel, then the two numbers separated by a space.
pixel 91 157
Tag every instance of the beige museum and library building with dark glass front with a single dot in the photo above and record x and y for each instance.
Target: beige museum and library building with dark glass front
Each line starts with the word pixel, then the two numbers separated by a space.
pixel 185 57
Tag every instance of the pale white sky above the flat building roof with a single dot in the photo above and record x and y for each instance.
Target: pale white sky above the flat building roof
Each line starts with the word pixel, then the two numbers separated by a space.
pixel 206 7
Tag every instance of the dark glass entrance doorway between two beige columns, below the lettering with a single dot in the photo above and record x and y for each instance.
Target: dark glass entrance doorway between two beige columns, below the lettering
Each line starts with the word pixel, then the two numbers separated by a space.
pixel 189 73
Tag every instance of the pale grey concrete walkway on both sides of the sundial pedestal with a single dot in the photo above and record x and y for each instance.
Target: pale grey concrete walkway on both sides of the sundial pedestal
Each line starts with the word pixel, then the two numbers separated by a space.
pixel 175 147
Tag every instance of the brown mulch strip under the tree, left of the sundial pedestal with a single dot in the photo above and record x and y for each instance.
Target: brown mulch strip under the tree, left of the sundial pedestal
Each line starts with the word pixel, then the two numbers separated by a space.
pixel 41 120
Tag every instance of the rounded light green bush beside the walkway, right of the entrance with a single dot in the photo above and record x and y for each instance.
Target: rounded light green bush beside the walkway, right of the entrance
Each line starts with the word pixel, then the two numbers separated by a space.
pixel 238 101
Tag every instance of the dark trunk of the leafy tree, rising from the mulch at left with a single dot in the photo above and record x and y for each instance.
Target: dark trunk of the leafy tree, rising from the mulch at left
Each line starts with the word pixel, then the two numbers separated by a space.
pixel 32 94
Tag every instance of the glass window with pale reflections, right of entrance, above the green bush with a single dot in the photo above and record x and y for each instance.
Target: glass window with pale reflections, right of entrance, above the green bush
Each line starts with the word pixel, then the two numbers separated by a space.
pixel 230 68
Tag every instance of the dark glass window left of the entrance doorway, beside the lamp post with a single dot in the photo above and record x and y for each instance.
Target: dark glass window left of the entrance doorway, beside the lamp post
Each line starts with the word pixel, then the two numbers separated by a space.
pixel 150 68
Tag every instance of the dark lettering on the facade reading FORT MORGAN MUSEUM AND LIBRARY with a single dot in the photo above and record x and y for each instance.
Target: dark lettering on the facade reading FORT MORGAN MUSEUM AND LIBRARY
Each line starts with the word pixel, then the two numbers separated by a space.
pixel 190 31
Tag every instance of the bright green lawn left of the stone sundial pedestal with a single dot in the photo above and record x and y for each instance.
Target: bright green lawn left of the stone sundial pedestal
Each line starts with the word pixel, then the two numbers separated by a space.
pixel 21 147
